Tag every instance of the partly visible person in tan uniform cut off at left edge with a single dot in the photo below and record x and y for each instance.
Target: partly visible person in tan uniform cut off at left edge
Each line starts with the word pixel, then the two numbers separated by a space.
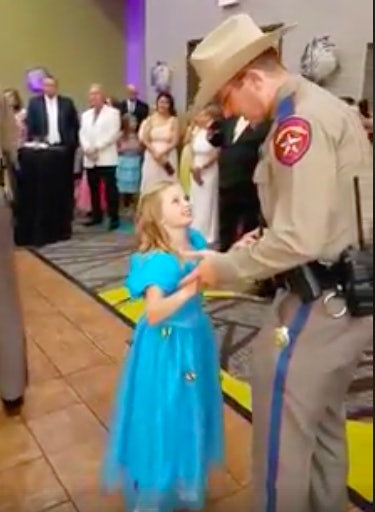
pixel 13 366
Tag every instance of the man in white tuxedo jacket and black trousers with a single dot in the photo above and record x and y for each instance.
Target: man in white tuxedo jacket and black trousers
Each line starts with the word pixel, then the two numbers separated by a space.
pixel 99 133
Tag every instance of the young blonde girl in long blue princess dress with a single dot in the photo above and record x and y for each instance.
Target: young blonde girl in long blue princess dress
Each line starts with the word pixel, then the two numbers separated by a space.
pixel 167 429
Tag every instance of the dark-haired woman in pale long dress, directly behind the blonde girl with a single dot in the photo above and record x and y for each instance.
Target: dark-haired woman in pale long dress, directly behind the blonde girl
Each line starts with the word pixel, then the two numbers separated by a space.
pixel 160 136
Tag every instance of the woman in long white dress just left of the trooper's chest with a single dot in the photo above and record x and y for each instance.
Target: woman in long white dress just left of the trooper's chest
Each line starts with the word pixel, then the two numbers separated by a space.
pixel 204 188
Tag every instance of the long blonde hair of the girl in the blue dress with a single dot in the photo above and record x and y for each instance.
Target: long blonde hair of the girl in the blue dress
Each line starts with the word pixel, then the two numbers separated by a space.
pixel 150 232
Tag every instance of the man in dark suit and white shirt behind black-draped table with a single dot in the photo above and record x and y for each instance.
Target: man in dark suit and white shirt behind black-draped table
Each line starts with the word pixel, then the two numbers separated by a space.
pixel 53 119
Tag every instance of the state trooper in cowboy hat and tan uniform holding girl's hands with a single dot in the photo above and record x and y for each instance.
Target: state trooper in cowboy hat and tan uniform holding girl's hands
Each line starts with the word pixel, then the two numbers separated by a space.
pixel 304 357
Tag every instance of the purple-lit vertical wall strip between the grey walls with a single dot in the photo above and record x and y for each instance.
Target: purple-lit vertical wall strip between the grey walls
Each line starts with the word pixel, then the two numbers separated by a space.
pixel 135 42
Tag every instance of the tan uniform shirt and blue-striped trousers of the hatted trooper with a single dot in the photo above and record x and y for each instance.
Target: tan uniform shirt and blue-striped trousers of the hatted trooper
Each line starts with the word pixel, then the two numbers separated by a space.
pixel 305 181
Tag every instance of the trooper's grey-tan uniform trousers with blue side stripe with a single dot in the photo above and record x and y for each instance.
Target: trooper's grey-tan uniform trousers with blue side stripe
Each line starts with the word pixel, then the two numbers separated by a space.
pixel 299 388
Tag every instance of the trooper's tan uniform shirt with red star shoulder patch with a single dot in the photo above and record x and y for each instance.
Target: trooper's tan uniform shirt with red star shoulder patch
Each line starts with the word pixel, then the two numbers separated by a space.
pixel 309 205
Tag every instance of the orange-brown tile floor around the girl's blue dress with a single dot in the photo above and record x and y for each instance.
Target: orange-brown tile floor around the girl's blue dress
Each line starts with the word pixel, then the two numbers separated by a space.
pixel 50 457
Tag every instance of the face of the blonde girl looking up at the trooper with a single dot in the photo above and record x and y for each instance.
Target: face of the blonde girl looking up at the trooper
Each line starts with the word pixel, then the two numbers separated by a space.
pixel 175 207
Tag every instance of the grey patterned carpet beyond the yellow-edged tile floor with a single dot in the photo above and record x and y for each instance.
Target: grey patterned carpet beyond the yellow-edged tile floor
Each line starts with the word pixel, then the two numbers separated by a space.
pixel 98 261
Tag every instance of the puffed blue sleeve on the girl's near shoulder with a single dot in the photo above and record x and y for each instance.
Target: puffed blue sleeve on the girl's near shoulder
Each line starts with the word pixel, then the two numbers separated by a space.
pixel 152 269
